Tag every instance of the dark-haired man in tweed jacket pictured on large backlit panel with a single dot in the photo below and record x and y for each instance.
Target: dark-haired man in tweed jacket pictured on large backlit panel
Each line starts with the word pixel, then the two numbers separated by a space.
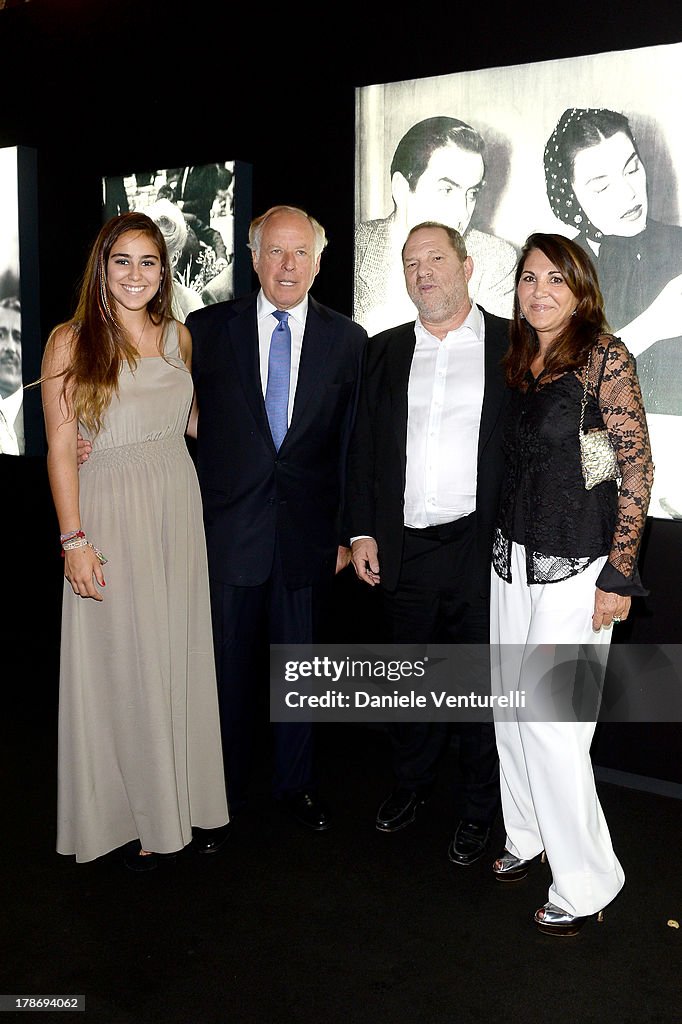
pixel 437 174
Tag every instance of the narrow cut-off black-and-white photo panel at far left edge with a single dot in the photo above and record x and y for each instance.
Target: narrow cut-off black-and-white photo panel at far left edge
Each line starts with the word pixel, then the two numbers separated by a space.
pixel 12 387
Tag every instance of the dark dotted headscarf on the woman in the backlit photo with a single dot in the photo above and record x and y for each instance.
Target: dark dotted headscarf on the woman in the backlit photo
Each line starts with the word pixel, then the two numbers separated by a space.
pixel 577 130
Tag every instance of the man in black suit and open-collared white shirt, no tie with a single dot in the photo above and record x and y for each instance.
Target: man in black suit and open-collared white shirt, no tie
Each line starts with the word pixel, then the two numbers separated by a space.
pixel 425 468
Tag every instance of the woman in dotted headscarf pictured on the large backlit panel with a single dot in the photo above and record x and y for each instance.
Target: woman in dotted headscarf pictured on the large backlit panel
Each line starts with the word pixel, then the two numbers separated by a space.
pixel 596 184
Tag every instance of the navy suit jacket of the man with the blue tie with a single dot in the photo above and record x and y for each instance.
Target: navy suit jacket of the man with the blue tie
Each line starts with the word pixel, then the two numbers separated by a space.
pixel 254 496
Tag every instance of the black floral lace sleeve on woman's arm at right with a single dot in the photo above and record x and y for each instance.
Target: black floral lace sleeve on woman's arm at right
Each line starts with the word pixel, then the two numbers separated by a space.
pixel 623 411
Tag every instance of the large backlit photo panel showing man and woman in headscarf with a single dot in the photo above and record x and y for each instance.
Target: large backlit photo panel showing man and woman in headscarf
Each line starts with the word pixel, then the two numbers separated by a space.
pixel 588 147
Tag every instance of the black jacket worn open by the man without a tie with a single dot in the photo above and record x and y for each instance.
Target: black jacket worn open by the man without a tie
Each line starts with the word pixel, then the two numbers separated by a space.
pixel 378 451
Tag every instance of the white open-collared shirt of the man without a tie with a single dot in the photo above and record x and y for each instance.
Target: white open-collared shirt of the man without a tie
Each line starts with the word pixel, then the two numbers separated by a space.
pixel 445 401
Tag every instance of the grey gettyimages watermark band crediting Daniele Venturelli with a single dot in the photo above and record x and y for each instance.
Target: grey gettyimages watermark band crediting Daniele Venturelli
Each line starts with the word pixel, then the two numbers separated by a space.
pixel 476 682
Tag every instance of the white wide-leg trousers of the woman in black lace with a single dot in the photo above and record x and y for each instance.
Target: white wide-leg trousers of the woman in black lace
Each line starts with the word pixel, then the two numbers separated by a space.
pixel 549 799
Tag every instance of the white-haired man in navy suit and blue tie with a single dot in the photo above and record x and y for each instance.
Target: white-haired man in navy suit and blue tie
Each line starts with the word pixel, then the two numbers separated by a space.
pixel 273 515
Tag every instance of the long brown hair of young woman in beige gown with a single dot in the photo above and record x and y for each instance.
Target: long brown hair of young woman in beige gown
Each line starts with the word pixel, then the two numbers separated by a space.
pixel 101 344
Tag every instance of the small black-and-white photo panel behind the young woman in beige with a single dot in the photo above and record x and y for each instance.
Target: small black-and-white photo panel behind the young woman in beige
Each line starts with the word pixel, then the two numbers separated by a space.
pixel 194 208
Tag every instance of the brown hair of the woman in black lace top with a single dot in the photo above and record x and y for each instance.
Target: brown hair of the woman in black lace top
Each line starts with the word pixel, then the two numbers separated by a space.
pixel 570 350
